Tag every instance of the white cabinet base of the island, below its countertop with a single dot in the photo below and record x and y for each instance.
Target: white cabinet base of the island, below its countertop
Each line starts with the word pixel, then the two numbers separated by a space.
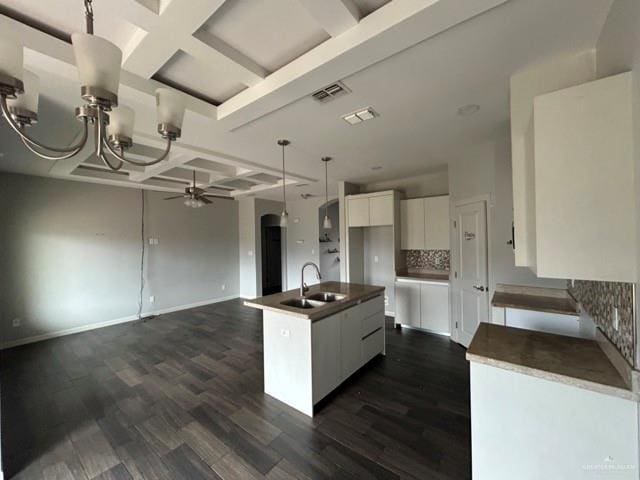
pixel 307 358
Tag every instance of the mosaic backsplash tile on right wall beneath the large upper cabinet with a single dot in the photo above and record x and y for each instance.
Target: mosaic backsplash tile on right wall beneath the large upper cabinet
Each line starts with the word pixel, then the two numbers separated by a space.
pixel 598 300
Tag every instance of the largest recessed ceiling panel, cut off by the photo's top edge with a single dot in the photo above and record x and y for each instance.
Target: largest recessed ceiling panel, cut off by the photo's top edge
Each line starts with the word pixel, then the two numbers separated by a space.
pixel 270 32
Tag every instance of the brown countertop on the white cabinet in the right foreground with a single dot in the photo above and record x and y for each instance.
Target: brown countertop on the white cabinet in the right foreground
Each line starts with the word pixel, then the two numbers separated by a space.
pixel 573 361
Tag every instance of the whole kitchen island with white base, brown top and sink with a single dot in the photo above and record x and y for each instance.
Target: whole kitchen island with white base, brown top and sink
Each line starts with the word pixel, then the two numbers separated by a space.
pixel 313 343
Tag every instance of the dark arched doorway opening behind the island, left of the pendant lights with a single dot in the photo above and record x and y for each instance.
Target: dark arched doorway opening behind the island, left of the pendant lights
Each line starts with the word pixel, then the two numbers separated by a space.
pixel 271 240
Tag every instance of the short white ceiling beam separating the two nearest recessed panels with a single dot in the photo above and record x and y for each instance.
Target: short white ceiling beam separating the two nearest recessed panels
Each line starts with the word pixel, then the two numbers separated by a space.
pixel 210 50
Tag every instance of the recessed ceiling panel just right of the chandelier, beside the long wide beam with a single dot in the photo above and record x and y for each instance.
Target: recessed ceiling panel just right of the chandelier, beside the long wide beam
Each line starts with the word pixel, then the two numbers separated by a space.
pixel 203 81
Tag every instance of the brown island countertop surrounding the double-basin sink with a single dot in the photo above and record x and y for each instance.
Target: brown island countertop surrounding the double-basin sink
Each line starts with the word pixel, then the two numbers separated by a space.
pixel 354 292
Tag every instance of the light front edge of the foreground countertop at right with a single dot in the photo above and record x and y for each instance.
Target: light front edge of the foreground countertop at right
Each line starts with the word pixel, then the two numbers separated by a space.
pixel 555 377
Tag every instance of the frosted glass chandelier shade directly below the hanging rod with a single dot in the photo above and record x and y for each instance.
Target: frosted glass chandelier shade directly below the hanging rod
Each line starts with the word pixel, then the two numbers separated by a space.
pixel 98 61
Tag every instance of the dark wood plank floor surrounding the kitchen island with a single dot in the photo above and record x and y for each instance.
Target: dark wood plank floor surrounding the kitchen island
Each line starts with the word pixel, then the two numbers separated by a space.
pixel 180 396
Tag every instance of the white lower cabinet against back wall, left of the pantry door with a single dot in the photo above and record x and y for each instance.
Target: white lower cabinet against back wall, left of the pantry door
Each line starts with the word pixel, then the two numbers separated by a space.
pixel 423 305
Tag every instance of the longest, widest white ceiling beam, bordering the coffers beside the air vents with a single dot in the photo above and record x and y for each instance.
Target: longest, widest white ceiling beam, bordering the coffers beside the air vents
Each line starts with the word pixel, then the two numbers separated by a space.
pixel 398 25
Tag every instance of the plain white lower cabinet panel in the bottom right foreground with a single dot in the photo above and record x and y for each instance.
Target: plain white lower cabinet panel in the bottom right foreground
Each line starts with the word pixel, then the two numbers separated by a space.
pixel 528 428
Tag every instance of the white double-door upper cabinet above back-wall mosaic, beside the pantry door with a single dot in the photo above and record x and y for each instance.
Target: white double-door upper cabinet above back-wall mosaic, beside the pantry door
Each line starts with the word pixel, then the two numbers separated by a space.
pixel 425 223
